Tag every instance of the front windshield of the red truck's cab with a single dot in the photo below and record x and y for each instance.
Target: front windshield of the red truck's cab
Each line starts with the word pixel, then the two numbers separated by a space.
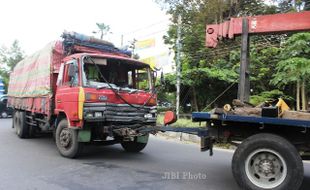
pixel 121 74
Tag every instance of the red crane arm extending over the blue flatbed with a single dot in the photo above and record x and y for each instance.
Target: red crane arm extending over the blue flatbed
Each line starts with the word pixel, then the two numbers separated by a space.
pixel 263 24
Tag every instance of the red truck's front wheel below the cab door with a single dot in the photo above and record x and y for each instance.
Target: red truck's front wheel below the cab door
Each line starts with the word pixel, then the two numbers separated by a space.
pixel 67 140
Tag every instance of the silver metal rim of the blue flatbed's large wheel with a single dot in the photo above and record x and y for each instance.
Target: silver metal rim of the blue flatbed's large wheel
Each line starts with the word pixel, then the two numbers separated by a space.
pixel 266 168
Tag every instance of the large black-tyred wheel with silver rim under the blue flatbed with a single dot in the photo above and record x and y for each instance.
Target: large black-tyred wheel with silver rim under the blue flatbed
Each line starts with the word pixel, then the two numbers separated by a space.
pixel 267 161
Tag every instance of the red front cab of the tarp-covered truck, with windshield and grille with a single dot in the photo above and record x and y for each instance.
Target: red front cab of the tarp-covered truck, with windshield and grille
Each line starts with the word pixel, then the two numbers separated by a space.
pixel 105 96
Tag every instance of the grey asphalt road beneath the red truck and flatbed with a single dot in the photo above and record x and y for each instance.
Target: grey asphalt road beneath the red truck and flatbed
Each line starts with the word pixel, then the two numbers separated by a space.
pixel 36 164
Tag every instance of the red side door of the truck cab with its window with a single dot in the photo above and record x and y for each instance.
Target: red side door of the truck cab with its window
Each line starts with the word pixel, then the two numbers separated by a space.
pixel 67 93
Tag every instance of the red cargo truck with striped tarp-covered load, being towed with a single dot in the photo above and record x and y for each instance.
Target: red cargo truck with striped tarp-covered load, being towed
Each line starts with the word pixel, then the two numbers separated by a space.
pixel 84 90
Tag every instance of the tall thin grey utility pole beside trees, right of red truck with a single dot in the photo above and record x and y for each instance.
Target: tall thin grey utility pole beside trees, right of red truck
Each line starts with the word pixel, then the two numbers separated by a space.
pixel 178 66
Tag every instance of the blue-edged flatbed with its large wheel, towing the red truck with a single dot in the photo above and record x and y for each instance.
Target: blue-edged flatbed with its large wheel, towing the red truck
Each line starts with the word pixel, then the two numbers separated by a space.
pixel 269 150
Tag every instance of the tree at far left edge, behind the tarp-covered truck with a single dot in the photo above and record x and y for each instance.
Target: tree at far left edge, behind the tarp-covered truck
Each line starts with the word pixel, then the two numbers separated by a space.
pixel 9 57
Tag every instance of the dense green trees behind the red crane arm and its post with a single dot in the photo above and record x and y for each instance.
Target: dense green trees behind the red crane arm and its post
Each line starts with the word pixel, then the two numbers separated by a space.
pixel 206 73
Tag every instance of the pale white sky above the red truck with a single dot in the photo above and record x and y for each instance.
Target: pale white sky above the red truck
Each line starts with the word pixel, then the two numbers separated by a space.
pixel 34 23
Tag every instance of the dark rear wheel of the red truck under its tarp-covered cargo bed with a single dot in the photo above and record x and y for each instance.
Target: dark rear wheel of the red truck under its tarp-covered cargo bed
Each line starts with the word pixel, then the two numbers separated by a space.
pixel 22 128
